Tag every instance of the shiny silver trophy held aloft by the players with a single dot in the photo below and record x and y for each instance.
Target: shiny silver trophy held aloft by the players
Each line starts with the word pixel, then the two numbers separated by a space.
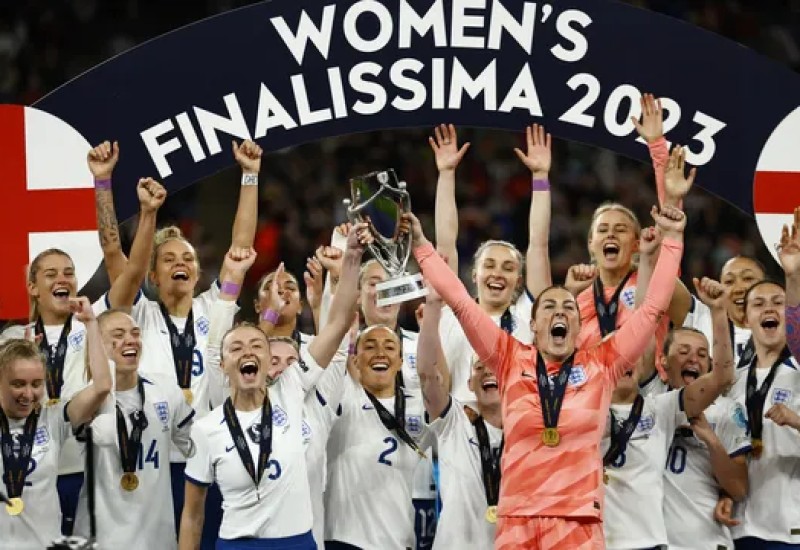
pixel 380 200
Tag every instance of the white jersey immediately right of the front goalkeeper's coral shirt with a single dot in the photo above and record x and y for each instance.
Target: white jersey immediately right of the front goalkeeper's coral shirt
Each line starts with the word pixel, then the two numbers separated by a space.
pixel 633 516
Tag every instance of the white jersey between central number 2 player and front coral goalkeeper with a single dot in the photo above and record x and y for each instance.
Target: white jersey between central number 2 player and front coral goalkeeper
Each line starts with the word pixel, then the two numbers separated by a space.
pixel 462 523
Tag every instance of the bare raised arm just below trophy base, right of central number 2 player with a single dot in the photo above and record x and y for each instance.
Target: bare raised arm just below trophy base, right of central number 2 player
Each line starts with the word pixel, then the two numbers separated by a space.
pixel 430 356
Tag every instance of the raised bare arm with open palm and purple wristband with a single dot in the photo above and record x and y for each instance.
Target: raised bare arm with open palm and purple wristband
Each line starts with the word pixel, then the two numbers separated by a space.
pixel 538 159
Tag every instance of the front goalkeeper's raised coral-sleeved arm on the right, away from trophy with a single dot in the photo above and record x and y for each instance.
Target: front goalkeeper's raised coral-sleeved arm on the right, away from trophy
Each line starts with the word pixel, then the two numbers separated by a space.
pixel 629 342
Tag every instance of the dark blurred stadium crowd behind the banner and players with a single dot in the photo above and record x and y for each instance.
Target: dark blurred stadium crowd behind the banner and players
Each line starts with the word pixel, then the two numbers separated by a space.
pixel 44 43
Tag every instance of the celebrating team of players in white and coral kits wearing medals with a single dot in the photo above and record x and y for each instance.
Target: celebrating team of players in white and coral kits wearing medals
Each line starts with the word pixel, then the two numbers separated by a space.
pixel 616 409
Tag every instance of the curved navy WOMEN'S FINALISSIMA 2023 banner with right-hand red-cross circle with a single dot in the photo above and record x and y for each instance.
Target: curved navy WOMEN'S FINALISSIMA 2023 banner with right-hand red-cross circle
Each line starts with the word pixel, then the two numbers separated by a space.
pixel 285 73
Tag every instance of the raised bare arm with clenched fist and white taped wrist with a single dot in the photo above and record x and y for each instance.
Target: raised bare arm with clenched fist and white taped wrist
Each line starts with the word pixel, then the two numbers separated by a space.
pixel 248 155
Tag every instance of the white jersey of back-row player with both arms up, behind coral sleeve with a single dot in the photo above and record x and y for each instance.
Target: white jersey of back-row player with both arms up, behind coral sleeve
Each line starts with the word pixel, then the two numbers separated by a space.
pixel 459 352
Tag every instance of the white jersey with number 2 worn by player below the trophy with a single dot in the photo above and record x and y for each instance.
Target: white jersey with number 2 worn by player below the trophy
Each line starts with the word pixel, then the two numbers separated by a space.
pixel 370 474
